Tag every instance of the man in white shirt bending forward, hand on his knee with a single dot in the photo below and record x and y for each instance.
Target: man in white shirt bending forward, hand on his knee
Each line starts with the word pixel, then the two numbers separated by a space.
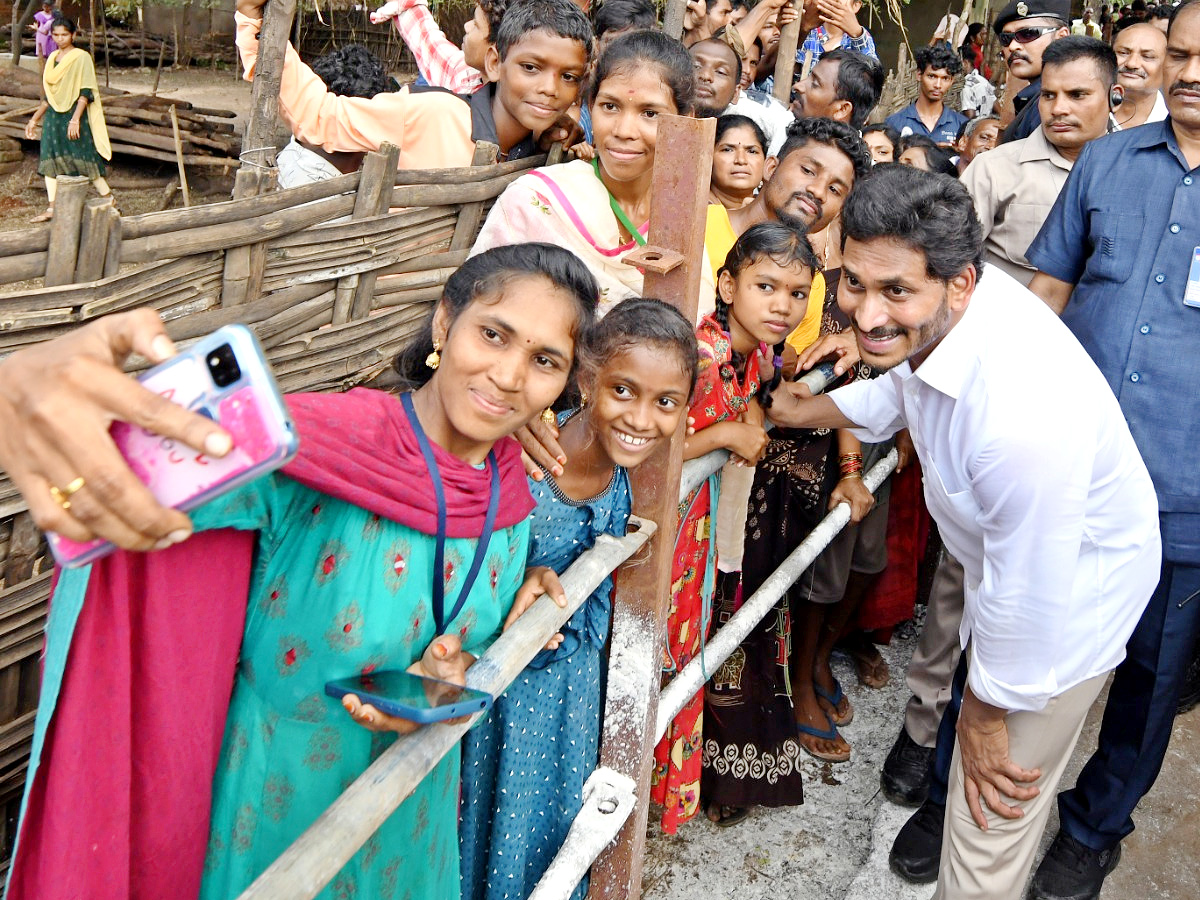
pixel 1037 489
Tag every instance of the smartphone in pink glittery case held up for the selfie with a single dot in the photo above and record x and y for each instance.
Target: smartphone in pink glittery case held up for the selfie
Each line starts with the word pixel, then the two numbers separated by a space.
pixel 225 377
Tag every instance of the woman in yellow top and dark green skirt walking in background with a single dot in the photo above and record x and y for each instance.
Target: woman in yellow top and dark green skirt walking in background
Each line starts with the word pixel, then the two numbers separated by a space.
pixel 73 143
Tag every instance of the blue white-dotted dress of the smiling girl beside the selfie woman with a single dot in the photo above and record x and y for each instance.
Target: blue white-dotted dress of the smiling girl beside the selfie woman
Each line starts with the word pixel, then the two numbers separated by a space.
pixel 525 766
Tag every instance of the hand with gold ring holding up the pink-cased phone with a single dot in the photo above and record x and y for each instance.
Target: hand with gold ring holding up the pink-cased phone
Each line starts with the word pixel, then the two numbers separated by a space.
pixel 57 404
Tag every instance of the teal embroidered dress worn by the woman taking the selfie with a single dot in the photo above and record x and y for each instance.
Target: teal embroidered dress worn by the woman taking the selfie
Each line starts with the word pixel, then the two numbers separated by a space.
pixel 338 591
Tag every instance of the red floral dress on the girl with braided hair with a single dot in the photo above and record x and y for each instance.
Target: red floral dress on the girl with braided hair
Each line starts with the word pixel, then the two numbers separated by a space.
pixel 722 394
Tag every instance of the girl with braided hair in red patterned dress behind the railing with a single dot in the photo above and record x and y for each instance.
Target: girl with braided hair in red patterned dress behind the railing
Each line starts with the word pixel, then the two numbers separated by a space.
pixel 761 297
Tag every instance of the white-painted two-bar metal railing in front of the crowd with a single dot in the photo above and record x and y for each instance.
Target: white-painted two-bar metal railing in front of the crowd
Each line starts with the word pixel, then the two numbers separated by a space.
pixel 305 868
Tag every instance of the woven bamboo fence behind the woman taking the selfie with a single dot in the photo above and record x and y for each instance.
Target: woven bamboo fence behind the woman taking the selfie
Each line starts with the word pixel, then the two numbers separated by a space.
pixel 333 278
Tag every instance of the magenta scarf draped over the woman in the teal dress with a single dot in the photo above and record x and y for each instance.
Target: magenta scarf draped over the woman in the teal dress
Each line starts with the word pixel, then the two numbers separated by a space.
pixel 140 719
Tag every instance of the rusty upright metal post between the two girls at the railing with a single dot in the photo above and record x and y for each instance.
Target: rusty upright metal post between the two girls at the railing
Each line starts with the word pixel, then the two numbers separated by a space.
pixel 673 263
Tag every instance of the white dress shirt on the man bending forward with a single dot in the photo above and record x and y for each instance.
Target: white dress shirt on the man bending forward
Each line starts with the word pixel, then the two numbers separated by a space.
pixel 1036 487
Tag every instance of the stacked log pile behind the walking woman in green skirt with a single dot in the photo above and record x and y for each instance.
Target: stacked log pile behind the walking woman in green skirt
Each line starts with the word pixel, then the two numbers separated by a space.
pixel 139 125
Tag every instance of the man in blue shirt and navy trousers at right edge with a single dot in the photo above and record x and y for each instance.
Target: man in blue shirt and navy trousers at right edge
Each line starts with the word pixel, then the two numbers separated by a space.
pixel 1114 259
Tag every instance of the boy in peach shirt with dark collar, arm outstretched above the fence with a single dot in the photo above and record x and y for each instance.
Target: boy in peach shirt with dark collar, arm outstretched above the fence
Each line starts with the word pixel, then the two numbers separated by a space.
pixel 536 69
